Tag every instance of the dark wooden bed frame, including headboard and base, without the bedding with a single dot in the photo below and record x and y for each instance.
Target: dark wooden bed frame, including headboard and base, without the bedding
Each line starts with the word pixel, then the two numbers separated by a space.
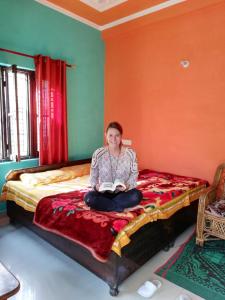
pixel 145 243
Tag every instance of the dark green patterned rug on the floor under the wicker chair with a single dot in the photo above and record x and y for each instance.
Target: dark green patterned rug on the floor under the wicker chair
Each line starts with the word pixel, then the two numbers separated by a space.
pixel 200 270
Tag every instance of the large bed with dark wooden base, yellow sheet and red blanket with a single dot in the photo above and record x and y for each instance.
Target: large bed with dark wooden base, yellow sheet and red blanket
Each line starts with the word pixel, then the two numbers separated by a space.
pixel 135 236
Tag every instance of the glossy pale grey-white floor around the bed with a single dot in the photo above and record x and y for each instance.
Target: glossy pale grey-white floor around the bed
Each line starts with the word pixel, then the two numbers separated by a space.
pixel 47 274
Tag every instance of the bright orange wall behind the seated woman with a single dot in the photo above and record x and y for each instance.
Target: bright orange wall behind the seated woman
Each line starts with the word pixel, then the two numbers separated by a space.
pixel 174 116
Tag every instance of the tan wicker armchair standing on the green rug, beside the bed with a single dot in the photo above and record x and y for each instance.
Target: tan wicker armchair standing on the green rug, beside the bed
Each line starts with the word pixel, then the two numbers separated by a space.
pixel 210 226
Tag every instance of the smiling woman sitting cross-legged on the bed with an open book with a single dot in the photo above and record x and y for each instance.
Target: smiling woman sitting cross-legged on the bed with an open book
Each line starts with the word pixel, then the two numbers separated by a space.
pixel 109 164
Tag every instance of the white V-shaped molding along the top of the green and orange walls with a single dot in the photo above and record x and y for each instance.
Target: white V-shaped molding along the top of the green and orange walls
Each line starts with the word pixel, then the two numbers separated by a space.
pixel 134 16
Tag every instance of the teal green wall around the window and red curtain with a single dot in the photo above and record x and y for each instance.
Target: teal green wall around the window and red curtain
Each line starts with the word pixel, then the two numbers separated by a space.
pixel 29 27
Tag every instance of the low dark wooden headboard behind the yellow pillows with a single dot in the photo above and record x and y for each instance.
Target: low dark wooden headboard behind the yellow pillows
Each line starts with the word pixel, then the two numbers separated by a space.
pixel 15 174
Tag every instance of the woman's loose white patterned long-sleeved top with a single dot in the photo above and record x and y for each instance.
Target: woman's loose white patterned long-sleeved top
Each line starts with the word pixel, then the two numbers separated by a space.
pixel 106 167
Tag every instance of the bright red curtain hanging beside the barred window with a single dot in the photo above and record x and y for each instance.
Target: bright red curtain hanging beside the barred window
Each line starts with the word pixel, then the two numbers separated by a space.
pixel 51 94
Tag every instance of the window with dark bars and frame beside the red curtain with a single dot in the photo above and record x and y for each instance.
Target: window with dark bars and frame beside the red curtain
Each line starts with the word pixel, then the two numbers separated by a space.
pixel 18 114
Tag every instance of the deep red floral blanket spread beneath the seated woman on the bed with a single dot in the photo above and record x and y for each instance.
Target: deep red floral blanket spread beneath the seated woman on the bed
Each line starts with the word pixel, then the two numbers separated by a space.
pixel 67 215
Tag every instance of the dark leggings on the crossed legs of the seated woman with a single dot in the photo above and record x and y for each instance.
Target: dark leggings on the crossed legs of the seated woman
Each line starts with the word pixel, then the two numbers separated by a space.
pixel 113 201
